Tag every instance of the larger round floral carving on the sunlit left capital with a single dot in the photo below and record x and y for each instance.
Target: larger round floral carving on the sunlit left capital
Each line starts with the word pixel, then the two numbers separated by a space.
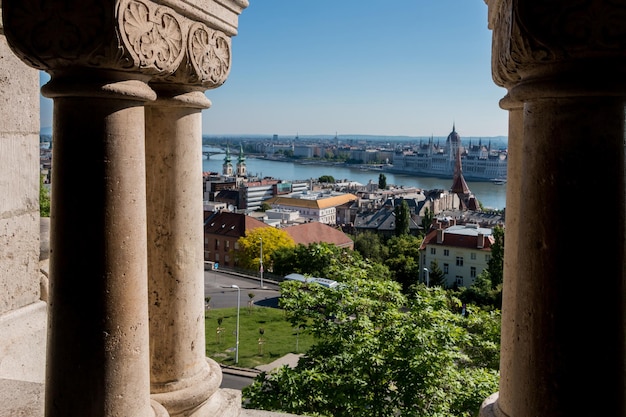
pixel 153 36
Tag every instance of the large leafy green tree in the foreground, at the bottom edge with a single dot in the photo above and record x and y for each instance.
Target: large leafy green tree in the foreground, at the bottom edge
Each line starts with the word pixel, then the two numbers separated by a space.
pixel 379 354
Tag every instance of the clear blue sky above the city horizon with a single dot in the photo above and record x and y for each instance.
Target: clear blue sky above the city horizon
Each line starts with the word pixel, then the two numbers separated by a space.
pixel 372 67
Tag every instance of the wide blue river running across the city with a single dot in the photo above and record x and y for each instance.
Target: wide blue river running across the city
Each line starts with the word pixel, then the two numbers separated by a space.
pixel 490 195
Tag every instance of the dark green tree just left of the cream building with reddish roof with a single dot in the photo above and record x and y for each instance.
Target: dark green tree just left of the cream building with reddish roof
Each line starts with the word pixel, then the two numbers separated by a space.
pixel 403 259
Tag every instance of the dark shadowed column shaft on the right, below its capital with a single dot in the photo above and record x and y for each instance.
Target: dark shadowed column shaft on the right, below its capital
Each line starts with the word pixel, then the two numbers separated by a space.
pixel 569 326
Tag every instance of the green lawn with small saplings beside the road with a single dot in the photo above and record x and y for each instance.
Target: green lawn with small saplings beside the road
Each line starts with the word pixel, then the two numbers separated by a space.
pixel 278 338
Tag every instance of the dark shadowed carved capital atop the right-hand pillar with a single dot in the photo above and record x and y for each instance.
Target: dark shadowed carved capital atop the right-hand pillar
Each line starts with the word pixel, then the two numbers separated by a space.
pixel 580 42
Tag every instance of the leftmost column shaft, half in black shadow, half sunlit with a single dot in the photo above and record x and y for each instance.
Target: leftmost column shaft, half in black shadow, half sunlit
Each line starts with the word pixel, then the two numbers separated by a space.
pixel 98 359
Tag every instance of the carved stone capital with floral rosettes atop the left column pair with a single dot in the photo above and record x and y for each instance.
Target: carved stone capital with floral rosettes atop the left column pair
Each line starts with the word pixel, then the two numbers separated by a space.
pixel 166 40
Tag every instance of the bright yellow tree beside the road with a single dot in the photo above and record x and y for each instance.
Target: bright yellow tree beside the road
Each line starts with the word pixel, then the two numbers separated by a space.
pixel 248 255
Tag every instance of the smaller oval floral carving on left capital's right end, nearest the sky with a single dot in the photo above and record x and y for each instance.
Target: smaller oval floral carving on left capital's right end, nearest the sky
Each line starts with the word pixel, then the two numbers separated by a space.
pixel 210 56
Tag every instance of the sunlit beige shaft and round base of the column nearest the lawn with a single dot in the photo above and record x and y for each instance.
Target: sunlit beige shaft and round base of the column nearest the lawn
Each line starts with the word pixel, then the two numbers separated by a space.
pixel 181 377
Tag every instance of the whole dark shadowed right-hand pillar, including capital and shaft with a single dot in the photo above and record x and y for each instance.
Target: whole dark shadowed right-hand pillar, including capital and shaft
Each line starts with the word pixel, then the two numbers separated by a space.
pixel 563 313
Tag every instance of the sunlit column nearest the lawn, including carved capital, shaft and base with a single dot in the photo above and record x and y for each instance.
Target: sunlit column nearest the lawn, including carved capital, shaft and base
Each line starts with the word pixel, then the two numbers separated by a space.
pixel 182 378
